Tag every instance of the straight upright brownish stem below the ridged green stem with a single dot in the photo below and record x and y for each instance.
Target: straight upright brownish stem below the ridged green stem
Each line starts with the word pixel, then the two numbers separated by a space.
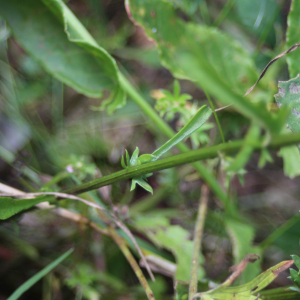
pixel 197 241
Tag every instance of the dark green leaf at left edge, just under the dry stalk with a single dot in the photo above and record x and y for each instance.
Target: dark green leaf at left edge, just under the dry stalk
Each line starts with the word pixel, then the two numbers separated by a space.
pixel 10 206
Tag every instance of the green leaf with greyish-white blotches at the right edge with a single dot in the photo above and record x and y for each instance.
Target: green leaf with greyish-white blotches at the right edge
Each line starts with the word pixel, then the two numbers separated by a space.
pixel 288 97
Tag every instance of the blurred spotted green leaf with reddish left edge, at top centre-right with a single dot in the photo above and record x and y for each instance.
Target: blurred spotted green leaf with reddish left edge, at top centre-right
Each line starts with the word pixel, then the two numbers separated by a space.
pixel 231 63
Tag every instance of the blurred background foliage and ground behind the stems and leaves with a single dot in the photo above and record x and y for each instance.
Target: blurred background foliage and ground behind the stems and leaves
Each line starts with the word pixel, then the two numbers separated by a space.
pixel 51 133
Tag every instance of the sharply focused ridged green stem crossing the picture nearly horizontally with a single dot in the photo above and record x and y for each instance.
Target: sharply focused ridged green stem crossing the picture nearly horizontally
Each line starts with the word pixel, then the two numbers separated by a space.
pixel 180 159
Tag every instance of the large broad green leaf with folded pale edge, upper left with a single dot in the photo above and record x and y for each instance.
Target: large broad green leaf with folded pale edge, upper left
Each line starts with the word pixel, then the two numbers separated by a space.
pixel 50 32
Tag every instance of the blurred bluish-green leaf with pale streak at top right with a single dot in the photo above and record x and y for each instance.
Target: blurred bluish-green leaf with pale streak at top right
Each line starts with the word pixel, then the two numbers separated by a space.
pixel 257 16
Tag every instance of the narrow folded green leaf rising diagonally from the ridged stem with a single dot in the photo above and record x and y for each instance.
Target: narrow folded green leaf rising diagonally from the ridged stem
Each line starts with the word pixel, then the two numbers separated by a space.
pixel 195 123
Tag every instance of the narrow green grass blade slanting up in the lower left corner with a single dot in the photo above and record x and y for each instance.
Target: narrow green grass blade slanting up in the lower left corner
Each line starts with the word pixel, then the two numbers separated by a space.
pixel 34 279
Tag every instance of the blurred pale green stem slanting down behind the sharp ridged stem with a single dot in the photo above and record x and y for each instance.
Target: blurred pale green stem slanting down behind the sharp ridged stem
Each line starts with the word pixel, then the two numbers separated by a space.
pixel 167 131
